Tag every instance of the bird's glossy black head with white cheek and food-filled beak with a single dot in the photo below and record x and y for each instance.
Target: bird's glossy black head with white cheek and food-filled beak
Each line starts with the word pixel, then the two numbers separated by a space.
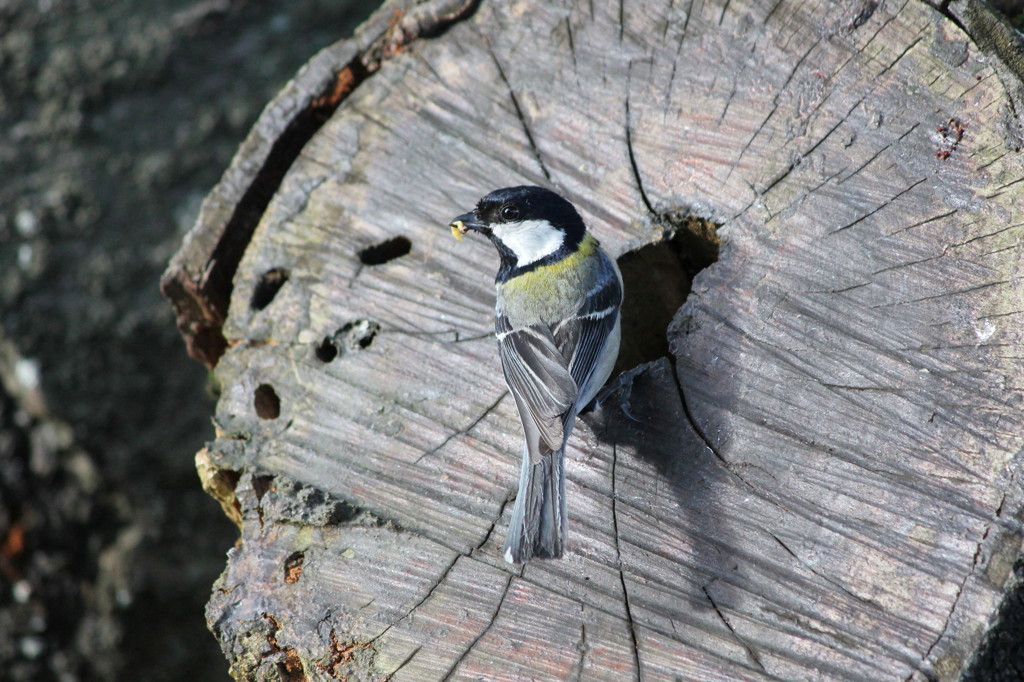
pixel 529 226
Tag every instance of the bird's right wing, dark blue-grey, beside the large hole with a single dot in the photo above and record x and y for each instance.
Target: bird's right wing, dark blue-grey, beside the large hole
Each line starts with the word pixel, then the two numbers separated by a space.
pixel 583 337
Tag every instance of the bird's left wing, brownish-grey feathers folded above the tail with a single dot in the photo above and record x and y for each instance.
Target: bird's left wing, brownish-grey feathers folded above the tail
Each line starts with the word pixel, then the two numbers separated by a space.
pixel 539 378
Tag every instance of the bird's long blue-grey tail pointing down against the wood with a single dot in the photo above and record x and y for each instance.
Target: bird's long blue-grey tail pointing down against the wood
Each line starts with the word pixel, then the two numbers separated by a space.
pixel 540 516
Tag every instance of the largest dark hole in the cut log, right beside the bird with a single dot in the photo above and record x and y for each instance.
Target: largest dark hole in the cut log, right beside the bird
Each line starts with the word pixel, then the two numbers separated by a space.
pixel 658 280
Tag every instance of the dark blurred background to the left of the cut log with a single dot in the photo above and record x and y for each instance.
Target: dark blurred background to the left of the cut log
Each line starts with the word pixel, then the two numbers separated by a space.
pixel 116 119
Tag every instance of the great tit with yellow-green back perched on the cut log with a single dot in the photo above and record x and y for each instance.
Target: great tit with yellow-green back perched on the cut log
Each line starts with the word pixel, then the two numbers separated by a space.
pixel 558 323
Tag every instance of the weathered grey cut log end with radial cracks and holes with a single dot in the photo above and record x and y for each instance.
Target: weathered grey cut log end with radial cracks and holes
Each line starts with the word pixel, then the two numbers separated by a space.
pixel 813 475
